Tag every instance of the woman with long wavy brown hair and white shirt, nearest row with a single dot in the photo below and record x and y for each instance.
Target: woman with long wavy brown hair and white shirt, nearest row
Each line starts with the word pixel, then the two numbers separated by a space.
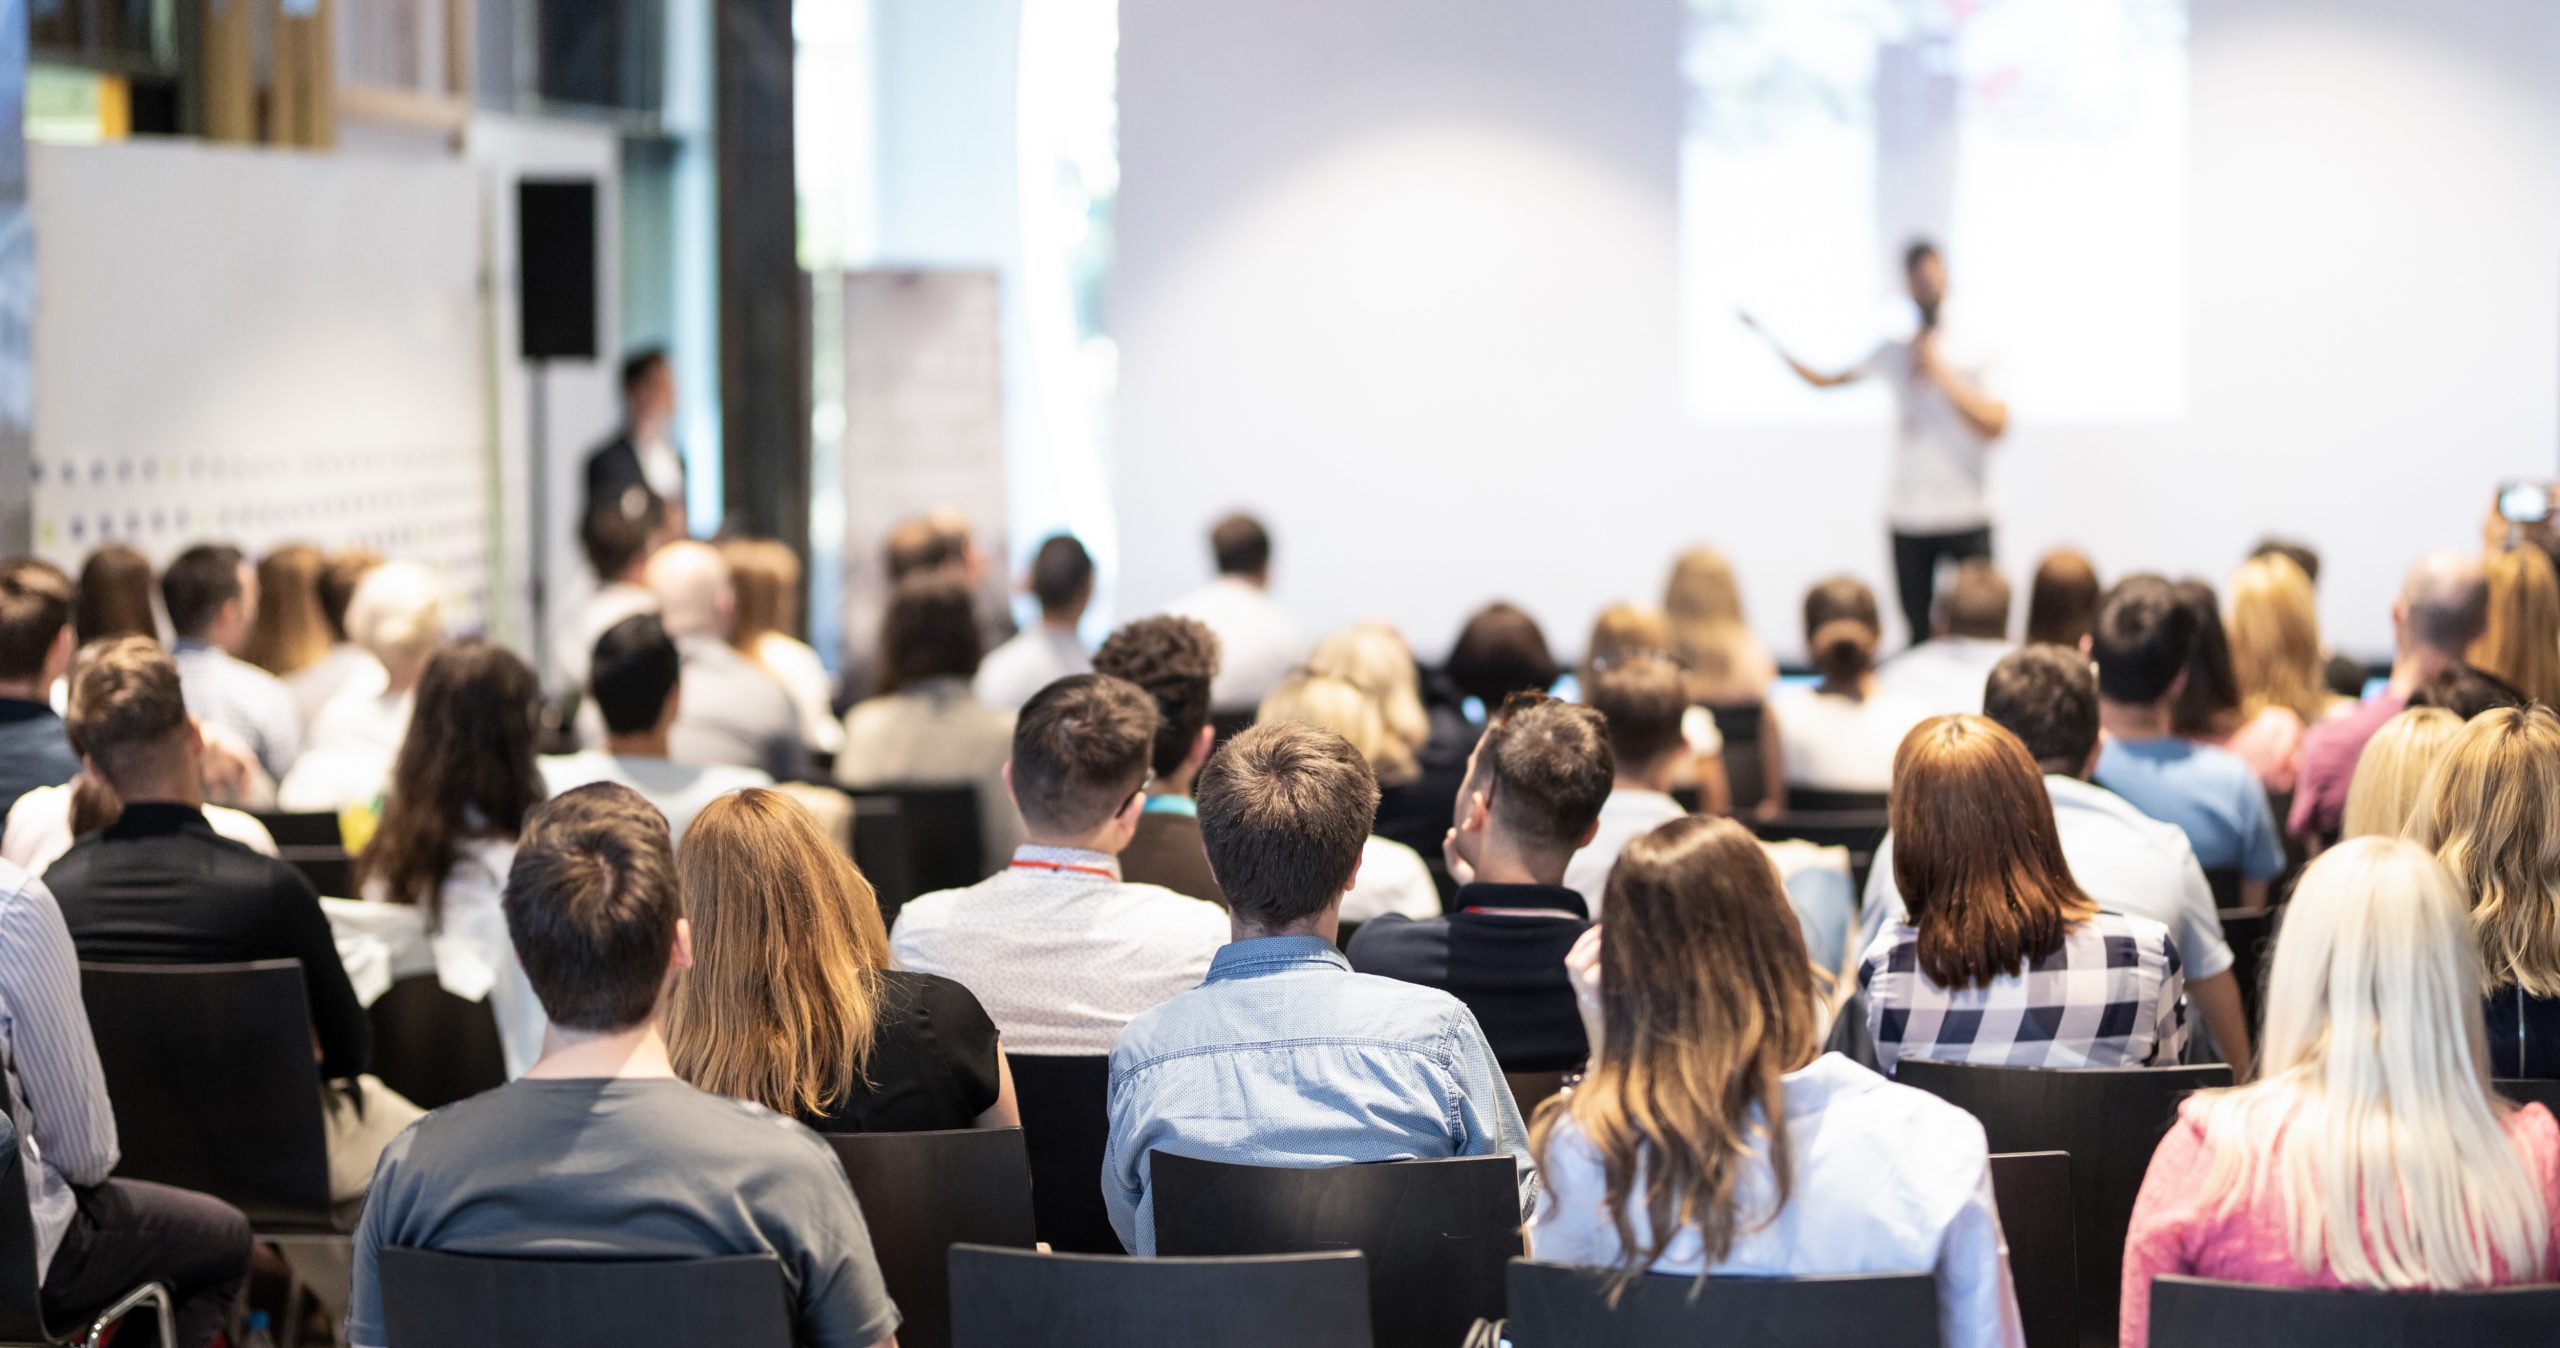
pixel 1665 1160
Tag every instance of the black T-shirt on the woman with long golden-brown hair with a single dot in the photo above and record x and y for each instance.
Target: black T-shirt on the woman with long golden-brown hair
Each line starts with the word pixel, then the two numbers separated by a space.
pixel 933 1063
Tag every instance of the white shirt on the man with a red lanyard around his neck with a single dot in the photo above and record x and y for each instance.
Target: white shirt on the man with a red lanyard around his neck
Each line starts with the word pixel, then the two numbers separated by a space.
pixel 1061 950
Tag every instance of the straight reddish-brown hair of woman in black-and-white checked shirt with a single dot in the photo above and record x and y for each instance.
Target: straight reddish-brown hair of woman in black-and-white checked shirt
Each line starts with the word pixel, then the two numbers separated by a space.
pixel 1978 856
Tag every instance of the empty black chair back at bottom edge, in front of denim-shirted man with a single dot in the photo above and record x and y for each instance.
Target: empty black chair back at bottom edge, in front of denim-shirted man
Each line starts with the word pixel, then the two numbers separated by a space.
pixel 1079 1301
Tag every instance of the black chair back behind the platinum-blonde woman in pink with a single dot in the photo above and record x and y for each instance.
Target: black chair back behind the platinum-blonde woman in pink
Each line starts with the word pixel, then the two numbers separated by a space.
pixel 2193 1313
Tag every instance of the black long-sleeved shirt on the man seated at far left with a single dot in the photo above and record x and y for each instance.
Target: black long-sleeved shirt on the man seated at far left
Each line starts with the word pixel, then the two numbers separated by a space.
pixel 163 889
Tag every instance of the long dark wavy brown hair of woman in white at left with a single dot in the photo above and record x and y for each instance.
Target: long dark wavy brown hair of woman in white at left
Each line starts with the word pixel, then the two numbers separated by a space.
pixel 465 771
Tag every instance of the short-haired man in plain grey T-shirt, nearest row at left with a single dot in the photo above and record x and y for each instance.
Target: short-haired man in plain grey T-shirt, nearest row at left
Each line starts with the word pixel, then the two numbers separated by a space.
pixel 600 1150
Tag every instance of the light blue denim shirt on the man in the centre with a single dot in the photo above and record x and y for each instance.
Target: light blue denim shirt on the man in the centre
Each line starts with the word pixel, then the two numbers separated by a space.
pixel 1286 1058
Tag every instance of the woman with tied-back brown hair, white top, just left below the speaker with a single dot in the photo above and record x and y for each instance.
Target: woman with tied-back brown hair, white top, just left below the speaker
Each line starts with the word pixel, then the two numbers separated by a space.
pixel 1842 733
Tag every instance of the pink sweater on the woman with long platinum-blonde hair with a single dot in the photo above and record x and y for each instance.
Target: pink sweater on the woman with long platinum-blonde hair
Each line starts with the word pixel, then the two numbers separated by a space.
pixel 2180 1234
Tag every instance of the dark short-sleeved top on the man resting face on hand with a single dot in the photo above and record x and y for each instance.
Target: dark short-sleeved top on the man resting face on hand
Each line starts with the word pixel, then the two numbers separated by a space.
pixel 1496 958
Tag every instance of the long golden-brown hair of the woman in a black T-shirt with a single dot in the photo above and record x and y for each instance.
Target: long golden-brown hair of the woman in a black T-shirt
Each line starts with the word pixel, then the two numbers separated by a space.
pixel 785 994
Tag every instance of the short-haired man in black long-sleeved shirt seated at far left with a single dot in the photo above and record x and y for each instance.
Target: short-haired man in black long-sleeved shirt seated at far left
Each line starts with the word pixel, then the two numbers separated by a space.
pixel 152 884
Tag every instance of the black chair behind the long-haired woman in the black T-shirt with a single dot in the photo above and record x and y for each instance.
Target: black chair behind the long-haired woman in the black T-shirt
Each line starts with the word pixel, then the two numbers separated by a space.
pixel 925 1193
